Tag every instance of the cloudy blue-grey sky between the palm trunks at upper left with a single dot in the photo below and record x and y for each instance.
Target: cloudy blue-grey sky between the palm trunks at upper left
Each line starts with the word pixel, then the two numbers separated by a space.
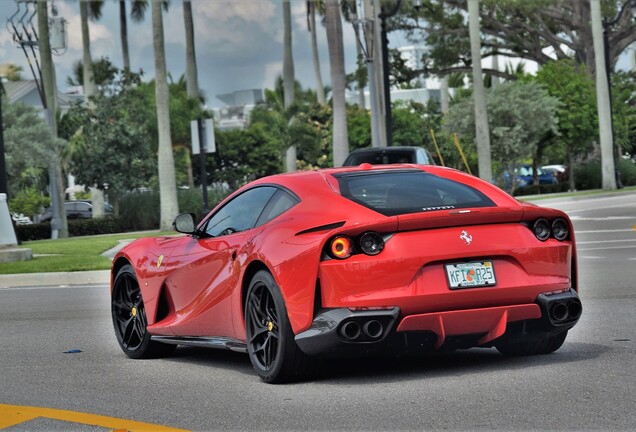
pixel 239 43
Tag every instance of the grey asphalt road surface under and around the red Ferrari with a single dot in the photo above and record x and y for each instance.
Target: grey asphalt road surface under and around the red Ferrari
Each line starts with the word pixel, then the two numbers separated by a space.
pixel 590 383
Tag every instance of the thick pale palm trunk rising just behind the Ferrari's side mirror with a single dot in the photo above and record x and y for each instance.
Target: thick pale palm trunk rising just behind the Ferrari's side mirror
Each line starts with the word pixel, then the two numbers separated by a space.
pixel 167 182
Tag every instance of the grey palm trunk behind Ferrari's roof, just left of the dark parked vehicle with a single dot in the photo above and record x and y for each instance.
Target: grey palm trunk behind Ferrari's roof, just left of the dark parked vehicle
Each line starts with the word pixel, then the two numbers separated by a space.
pixel 333 24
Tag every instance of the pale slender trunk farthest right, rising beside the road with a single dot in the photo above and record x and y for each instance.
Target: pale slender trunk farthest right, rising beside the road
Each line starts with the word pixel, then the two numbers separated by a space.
pixel 603 100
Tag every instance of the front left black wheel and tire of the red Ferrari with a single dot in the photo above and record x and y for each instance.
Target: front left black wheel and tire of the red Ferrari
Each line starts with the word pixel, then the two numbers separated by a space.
pixel 129 318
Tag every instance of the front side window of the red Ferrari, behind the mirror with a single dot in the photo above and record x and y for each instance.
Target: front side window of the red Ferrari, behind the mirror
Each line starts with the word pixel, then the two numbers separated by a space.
pixel 241 213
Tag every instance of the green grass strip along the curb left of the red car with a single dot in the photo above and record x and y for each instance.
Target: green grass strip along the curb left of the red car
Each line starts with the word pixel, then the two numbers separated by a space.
pixel 71 254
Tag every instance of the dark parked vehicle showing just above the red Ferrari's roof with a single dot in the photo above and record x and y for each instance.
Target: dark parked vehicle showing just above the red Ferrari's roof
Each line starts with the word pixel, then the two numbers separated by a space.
pixel 389 155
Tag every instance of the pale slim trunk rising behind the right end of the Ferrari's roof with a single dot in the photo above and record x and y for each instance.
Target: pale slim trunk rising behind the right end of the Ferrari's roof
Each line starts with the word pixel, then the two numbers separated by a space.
pixel 482 131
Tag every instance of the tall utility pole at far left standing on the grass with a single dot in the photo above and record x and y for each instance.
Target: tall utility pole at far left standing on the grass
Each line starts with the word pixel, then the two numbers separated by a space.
pixel 59 224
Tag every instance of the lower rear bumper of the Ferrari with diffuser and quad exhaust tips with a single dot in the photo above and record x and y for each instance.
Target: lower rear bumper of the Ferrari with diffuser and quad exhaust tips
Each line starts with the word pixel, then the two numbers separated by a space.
pixel 344 331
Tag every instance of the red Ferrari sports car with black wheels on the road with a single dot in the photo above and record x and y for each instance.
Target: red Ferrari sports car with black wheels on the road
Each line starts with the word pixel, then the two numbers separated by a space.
pixel 352 260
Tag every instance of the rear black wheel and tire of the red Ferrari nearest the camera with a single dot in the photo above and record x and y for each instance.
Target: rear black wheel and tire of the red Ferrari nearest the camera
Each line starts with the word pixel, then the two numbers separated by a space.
pixel 274 354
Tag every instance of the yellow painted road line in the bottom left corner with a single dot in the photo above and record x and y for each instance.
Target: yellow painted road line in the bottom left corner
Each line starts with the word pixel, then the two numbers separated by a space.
pixel 11 415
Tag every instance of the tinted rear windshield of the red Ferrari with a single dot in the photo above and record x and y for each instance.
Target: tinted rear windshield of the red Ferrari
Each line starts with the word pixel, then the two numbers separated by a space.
pixel 408 191
